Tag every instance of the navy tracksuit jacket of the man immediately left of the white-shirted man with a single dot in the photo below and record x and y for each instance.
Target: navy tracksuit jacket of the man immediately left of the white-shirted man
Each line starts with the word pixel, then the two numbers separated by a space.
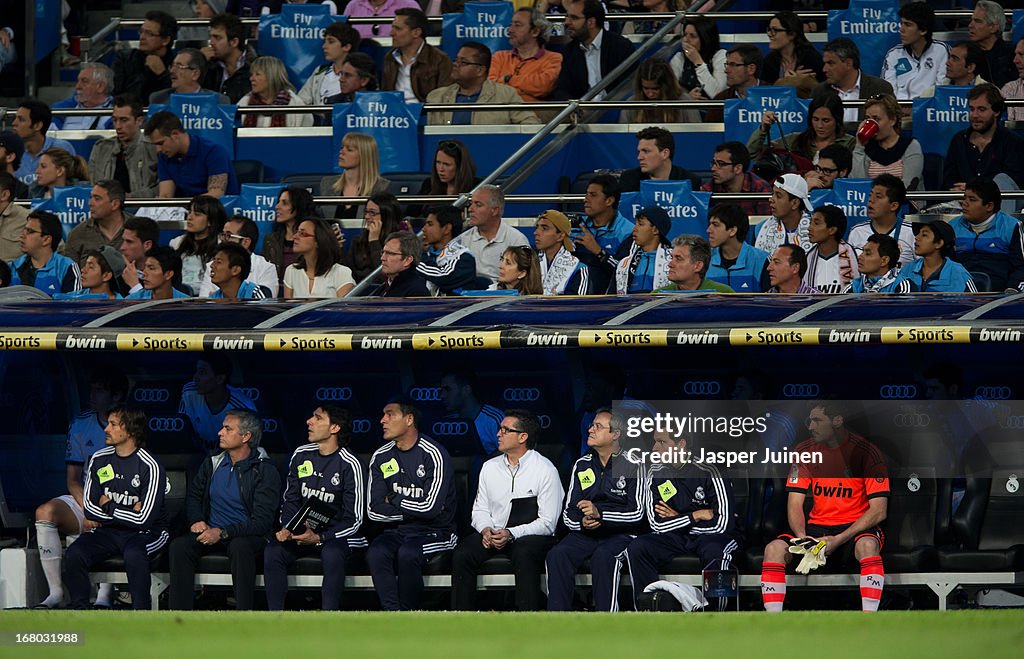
pixel 413 489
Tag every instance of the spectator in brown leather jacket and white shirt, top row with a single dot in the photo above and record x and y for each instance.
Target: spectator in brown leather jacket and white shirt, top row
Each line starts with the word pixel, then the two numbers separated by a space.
pixel 414 67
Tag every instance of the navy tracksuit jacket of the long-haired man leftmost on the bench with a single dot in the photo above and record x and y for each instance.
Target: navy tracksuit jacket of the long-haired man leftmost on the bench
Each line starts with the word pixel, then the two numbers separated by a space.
pixel 137 479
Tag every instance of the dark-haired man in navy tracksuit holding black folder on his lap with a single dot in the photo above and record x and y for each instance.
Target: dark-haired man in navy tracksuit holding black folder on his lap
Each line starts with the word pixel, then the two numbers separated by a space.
pixel 324 470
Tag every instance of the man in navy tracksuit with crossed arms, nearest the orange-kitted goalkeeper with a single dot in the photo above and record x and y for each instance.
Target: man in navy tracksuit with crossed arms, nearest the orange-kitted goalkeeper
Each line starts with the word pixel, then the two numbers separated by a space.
pixel 692 510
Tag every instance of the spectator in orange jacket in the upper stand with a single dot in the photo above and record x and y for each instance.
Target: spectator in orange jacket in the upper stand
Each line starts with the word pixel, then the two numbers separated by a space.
pixel 529 68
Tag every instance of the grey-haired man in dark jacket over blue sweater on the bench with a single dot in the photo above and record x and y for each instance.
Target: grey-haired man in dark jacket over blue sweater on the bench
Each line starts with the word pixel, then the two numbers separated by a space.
pixel 231 508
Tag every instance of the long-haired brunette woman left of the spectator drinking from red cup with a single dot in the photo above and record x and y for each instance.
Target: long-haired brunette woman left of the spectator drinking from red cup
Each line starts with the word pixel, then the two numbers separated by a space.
pixel 825 128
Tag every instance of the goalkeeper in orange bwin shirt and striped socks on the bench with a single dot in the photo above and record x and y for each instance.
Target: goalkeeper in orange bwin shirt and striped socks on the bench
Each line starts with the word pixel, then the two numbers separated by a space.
pixel 850 490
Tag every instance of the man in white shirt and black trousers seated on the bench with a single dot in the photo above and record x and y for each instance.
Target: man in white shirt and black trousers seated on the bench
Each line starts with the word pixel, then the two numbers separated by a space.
pixel 515 514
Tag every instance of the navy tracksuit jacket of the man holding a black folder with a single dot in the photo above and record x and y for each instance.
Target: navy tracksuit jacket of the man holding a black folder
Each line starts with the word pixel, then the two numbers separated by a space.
pixel 335 479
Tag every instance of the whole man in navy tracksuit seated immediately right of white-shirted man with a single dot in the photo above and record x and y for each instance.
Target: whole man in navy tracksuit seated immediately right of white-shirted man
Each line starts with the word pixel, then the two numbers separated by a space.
pixel 604 512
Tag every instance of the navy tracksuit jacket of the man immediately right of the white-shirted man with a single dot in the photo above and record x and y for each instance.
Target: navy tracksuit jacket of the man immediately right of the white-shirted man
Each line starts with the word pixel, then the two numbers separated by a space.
pixel 617 491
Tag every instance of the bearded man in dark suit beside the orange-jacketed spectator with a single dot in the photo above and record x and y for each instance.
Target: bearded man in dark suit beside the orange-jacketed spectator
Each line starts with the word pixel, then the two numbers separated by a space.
pixel 593 54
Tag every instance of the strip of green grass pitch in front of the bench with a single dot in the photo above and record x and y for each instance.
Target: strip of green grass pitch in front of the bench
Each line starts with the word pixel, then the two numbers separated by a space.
pixel 530 636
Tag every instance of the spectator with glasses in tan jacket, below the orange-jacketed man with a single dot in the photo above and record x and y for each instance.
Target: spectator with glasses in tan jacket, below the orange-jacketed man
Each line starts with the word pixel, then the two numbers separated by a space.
pixel 470 72
